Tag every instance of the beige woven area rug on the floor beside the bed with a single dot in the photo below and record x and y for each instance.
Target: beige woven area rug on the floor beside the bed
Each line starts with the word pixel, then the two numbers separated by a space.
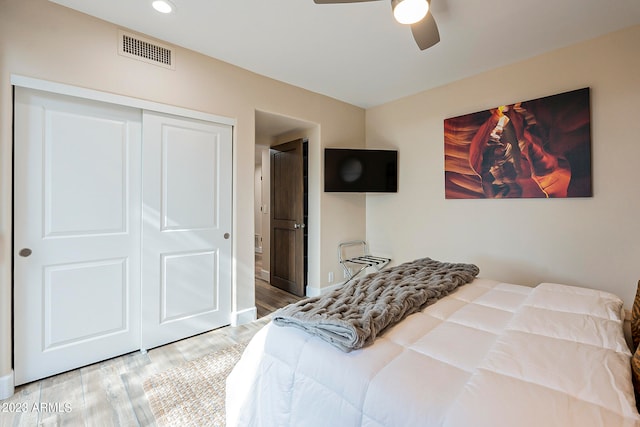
pixel 193 393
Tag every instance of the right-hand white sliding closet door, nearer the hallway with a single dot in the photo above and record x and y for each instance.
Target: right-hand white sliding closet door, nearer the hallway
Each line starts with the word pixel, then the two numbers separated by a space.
pixel 186 246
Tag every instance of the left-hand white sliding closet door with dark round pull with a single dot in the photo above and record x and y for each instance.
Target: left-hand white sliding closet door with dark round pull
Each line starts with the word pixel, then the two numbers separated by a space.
pixel 76 232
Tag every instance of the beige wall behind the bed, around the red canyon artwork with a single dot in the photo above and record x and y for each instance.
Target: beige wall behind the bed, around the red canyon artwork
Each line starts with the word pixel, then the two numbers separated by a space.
pixel 591 242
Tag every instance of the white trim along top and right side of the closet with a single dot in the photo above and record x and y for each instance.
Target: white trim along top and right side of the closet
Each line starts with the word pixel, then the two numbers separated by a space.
pixel 95 95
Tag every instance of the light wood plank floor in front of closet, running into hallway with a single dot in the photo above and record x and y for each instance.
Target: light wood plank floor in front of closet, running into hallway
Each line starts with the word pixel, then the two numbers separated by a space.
pixel 110 393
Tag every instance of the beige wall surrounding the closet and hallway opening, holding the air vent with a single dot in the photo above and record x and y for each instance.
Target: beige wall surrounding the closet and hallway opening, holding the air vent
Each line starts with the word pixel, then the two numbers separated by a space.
pixel 46 41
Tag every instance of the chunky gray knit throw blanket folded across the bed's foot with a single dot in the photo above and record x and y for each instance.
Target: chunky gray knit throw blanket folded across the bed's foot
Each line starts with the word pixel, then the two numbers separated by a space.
pixel 352 316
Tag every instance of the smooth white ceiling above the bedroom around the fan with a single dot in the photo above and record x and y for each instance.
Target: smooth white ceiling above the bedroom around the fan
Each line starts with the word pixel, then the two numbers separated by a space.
pixel 356 52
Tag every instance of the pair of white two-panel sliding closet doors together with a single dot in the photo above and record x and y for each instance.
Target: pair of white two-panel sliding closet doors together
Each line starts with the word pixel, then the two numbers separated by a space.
pixel 121 230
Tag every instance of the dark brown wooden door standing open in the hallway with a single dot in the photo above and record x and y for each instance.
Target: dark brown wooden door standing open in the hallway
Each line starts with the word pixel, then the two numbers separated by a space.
pixel 287 217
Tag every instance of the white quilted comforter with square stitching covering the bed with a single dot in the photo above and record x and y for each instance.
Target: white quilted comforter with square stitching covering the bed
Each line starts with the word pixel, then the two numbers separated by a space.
pixel 490 354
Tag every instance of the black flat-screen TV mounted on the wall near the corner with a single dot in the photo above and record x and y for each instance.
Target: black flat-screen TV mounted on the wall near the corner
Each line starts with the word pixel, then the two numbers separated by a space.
pixel 360 171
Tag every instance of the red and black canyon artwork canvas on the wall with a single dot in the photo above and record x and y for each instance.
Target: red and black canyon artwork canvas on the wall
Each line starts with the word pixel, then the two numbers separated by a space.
pixel 532 149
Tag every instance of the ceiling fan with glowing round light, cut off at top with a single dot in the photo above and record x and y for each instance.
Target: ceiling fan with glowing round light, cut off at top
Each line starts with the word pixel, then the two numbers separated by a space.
pixel 409 12
